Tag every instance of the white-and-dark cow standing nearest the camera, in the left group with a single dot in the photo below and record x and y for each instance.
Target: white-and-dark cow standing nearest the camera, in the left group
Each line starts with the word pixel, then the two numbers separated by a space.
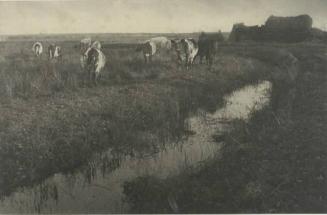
pixel 94 63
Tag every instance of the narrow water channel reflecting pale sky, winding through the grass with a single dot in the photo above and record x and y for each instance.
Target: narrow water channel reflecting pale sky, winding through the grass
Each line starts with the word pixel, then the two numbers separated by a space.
pixel 98 188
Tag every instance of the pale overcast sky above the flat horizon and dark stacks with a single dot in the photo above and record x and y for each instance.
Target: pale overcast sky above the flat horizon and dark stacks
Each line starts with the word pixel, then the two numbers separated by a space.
pixel 96 16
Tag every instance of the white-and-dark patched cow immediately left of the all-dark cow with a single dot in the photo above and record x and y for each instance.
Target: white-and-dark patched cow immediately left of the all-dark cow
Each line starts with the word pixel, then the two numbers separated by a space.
pixel 186 50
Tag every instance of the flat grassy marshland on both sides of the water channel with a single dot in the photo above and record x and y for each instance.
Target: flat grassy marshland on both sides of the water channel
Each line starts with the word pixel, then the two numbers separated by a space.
pixel 52 122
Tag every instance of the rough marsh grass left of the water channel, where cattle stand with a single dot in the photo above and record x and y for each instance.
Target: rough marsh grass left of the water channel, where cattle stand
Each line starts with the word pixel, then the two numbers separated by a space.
pixel 52 122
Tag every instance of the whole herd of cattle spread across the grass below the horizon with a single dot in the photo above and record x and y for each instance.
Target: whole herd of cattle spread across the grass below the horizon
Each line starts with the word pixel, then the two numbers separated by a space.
pixel 93 60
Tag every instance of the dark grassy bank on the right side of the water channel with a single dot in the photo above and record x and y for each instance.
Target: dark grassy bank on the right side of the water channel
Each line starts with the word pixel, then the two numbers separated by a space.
pixel 274 163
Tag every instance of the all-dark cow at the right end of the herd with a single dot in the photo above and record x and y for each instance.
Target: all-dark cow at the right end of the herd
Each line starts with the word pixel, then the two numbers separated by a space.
pixel 208 45
